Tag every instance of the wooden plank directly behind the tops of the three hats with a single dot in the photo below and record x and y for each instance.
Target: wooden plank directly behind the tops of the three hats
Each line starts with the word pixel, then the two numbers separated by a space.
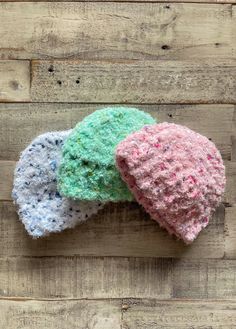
pixel 20 123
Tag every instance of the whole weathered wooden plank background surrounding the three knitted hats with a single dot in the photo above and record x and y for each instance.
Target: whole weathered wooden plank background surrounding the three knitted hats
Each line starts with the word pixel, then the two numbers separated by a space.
pixel 59 61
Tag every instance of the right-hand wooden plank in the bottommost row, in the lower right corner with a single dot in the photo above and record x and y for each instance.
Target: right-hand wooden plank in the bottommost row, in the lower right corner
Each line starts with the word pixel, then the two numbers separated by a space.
pixel 179 315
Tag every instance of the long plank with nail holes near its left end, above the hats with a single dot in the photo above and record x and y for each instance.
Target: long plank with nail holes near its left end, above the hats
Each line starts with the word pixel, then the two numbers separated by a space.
pixel 134 81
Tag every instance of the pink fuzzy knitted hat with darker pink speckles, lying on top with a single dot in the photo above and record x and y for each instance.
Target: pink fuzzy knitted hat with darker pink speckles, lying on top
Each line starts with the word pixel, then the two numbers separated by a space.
pixel 176 174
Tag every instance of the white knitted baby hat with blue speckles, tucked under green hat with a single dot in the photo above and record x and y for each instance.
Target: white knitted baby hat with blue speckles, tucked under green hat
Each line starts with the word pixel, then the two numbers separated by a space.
pixel 41 208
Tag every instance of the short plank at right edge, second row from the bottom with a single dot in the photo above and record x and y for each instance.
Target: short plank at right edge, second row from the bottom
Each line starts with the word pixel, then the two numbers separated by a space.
pixel 204 279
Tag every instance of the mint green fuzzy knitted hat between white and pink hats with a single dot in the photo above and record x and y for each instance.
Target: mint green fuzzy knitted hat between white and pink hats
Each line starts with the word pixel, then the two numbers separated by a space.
pixel 88 170
